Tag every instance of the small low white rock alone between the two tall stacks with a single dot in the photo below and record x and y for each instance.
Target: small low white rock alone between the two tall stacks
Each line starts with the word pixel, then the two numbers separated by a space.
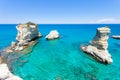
pixel 54 34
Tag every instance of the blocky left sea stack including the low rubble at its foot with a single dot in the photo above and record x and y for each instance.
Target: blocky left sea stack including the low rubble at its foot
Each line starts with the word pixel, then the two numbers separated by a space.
pixel 27 35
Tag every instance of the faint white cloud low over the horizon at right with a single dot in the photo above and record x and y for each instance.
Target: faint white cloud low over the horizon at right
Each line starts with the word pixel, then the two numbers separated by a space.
pixel 107 20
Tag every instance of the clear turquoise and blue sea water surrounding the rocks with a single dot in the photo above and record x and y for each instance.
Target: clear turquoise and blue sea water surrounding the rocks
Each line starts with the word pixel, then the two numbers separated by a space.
pixel 62 59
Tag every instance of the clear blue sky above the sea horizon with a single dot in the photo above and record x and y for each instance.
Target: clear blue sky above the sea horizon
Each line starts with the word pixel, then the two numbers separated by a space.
pixel 60 11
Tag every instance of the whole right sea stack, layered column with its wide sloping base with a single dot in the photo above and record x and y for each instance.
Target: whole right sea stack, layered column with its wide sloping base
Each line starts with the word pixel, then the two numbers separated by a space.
pixel 97 48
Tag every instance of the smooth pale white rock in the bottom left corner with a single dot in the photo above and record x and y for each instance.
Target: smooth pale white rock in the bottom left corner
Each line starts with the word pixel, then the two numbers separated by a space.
pixel 5 74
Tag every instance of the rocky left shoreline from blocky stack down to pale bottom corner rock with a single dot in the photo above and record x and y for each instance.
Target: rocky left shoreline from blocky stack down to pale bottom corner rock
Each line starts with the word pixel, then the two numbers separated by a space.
pixel 27 37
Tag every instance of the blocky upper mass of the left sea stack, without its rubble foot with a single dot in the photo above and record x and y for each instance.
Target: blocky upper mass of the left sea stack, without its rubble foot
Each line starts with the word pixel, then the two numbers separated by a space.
pixel 27 32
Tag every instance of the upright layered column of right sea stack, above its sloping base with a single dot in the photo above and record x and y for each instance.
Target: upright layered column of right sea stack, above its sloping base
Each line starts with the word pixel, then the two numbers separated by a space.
pixel 100 39
